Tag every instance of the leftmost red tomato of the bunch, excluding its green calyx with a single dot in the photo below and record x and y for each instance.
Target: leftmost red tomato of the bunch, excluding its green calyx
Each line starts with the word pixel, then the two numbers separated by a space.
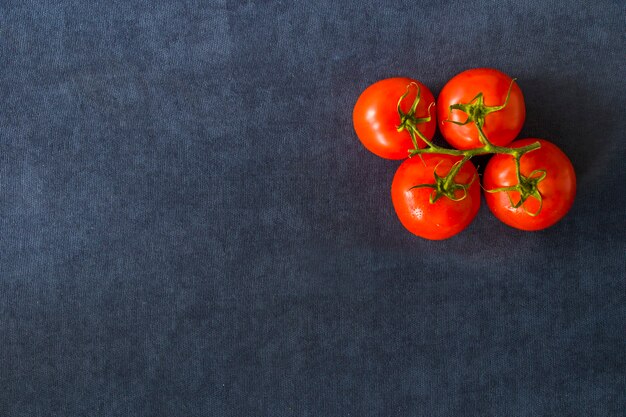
pixel 376 118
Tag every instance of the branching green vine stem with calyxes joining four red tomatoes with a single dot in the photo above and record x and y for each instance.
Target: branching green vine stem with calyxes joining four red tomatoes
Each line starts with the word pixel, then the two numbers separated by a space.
pixel 477 111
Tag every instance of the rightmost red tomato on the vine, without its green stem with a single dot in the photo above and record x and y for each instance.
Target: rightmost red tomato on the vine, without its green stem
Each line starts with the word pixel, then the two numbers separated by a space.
pixel 557 190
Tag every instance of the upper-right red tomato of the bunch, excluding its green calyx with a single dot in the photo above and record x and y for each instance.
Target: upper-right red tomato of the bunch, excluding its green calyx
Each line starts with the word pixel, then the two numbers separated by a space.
pixel 500 127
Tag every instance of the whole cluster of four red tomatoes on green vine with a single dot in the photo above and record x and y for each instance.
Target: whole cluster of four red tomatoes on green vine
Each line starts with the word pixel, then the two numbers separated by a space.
pixel 528 184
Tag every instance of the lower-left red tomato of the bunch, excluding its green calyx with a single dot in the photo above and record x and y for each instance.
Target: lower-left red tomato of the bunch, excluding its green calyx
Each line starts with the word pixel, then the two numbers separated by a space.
pixel 445 217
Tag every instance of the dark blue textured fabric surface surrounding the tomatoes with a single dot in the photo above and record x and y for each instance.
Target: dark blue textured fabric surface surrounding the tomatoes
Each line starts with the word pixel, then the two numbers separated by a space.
pixel 190 227
